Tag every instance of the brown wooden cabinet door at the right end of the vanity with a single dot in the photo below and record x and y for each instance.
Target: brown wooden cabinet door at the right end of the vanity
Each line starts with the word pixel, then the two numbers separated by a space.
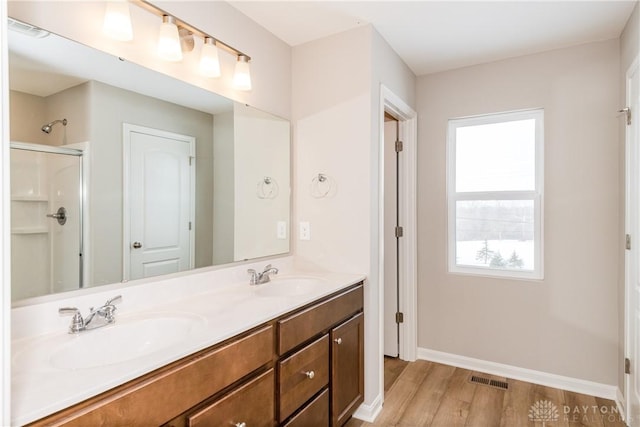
pixel 347 374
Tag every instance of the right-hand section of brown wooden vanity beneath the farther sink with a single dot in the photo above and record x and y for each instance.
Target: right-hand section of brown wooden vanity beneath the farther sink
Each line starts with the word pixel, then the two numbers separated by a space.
pixel 337 321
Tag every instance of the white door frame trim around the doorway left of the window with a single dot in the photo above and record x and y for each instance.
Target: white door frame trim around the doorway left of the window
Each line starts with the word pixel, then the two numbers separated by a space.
pixel 407 181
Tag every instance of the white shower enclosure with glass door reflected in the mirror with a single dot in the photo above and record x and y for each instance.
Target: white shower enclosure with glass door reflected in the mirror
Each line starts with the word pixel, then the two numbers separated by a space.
pixel 46 220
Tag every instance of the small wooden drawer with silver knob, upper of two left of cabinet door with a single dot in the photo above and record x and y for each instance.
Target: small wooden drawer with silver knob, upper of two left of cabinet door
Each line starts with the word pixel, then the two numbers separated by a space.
pixel 302 375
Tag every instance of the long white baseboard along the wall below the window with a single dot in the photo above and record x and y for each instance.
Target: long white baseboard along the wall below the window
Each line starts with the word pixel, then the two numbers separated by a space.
pixel 529 375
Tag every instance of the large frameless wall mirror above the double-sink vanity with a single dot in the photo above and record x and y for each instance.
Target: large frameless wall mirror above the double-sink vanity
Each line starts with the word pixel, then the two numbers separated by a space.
pixel 119 172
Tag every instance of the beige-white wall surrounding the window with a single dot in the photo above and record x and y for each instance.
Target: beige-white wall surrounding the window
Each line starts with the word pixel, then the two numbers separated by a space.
pixel 549 325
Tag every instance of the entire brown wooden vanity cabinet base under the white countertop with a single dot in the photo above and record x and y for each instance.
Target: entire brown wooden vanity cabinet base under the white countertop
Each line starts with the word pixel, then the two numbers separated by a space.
pixel 302 369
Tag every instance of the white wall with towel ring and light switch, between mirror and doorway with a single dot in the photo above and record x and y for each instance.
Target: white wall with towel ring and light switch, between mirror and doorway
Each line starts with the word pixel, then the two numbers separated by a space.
pixel 336 119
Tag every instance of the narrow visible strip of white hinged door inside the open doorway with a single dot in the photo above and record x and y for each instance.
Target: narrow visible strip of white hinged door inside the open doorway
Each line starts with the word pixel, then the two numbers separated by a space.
pixel 391 327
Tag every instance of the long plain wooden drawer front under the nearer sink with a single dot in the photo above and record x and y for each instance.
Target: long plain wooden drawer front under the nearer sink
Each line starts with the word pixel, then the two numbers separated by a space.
pixel 161 395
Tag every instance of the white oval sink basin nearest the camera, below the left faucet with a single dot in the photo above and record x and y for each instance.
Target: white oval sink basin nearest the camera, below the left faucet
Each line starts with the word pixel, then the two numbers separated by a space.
pixel 127 339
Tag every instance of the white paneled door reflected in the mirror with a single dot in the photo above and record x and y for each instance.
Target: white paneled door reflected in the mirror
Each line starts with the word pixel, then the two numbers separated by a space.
pixel 159 210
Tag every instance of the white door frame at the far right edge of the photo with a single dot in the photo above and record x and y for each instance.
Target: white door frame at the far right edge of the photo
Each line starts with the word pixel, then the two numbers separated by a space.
pixel 632 209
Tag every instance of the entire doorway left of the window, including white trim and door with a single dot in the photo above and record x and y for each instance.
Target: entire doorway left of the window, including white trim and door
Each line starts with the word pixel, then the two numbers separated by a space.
pixel 397 232
